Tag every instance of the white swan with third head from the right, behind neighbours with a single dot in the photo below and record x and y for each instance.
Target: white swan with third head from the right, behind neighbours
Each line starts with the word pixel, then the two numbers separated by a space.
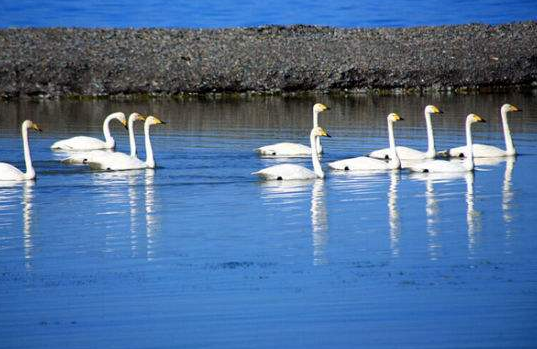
pixel 406 153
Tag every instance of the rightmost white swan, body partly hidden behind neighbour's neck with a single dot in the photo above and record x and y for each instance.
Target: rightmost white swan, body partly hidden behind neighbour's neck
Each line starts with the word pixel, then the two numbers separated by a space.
pixel 489 151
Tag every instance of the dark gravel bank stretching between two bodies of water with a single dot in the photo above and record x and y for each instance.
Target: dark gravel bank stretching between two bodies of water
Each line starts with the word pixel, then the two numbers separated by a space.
pixel 101 62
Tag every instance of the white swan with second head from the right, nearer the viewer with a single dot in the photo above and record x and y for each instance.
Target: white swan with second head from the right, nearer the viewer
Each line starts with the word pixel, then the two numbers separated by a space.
pixel 450 166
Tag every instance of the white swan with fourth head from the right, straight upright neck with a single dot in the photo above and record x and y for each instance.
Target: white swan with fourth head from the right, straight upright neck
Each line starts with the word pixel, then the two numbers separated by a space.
pixel 364 163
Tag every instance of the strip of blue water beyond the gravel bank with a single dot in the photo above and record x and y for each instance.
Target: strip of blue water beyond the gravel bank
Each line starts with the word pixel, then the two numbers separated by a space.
pixel 240 13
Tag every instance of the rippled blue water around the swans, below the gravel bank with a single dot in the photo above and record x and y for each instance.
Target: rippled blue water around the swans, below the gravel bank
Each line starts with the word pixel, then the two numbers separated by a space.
pixel 198 253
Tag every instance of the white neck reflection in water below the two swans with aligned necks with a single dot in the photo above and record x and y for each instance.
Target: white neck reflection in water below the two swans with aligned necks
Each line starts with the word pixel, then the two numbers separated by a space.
pixel 319 222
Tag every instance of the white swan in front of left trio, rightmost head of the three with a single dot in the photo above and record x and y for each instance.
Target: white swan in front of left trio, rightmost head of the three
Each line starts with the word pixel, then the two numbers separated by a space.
pixel 121 161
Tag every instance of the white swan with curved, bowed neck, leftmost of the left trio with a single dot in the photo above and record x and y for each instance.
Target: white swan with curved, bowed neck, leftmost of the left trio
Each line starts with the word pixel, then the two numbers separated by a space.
pixel 91 143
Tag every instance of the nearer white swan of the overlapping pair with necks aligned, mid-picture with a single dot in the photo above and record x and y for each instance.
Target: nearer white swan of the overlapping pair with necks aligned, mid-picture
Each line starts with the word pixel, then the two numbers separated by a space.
pixel 294 172
